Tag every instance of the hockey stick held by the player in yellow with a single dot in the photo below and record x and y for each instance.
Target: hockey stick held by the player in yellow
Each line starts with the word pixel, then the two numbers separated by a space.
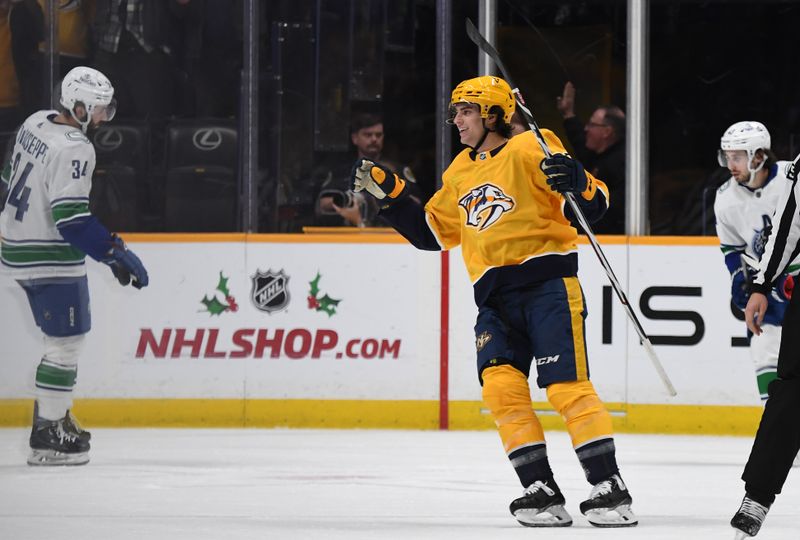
pixel 490 51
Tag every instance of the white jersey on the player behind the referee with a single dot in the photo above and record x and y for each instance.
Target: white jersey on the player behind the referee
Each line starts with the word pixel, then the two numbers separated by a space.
pixel 745 216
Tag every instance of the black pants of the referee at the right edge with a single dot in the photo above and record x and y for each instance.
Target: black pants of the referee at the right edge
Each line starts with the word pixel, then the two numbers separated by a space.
pixel 778 439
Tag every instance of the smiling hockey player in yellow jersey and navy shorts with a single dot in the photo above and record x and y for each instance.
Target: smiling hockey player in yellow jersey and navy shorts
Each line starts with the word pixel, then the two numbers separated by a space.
pixel 503 203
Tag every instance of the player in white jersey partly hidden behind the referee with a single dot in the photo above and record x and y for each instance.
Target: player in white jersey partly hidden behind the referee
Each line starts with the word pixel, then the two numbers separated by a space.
pixel 743 208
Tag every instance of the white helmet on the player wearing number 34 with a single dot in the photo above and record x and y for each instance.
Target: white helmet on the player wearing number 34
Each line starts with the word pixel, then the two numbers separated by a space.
pixel 88 87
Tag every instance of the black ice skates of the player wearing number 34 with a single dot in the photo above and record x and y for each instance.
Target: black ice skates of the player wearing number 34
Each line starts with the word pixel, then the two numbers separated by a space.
pixel 56 443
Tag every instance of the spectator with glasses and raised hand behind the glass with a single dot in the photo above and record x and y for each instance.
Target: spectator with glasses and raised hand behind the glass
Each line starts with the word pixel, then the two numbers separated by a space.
pixel 600 146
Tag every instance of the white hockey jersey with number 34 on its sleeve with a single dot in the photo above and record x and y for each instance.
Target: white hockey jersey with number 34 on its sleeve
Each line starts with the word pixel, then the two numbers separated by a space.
pixel 49 179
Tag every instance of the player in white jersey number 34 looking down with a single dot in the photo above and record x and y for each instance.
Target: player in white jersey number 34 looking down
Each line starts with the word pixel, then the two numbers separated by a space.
pixel 47 230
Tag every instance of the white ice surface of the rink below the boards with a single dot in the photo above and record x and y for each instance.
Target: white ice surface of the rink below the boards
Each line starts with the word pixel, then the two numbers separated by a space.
pixel 189 484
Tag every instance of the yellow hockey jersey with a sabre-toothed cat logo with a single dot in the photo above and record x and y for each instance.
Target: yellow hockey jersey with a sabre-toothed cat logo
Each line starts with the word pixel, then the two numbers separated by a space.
pixel 510 224
